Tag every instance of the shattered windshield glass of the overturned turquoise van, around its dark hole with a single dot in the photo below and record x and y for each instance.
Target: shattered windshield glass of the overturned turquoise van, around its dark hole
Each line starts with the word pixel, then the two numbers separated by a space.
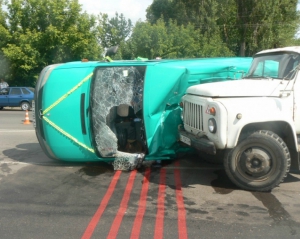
pixel 111 87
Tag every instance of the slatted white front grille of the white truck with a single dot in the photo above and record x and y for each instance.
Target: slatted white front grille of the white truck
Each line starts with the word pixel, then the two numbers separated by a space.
pixel 193 115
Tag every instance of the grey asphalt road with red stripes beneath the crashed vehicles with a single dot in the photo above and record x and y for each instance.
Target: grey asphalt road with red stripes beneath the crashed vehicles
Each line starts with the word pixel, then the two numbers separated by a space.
pixel 186 198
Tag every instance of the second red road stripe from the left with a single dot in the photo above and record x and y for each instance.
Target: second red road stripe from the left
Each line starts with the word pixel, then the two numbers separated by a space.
pixel 123 206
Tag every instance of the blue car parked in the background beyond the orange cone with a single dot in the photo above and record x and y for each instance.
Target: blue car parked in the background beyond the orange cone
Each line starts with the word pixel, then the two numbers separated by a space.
pixel 16 96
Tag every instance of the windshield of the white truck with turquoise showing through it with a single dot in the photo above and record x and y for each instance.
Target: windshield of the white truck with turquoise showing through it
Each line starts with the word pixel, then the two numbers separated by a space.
pixel 279 66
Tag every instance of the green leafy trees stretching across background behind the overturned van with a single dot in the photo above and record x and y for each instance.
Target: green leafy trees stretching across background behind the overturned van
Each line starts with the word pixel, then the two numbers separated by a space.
pixel 36 33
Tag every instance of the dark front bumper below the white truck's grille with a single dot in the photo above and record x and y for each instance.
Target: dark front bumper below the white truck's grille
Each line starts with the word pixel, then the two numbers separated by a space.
pixel 201 144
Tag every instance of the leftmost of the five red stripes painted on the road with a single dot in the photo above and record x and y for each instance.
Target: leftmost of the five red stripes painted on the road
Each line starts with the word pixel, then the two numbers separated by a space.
pixel 93 223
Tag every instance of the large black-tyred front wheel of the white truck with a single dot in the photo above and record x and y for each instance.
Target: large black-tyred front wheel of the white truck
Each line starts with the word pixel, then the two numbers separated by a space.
pixel 259 162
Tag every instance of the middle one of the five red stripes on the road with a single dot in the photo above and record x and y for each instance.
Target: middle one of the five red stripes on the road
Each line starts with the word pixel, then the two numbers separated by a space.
pixel 136 228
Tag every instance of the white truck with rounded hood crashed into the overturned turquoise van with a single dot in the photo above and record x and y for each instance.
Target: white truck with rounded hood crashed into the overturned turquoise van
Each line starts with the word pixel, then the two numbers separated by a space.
pixel 253 122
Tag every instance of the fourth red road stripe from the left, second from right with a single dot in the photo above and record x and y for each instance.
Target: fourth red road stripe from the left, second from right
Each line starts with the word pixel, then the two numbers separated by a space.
pixel 159 224
